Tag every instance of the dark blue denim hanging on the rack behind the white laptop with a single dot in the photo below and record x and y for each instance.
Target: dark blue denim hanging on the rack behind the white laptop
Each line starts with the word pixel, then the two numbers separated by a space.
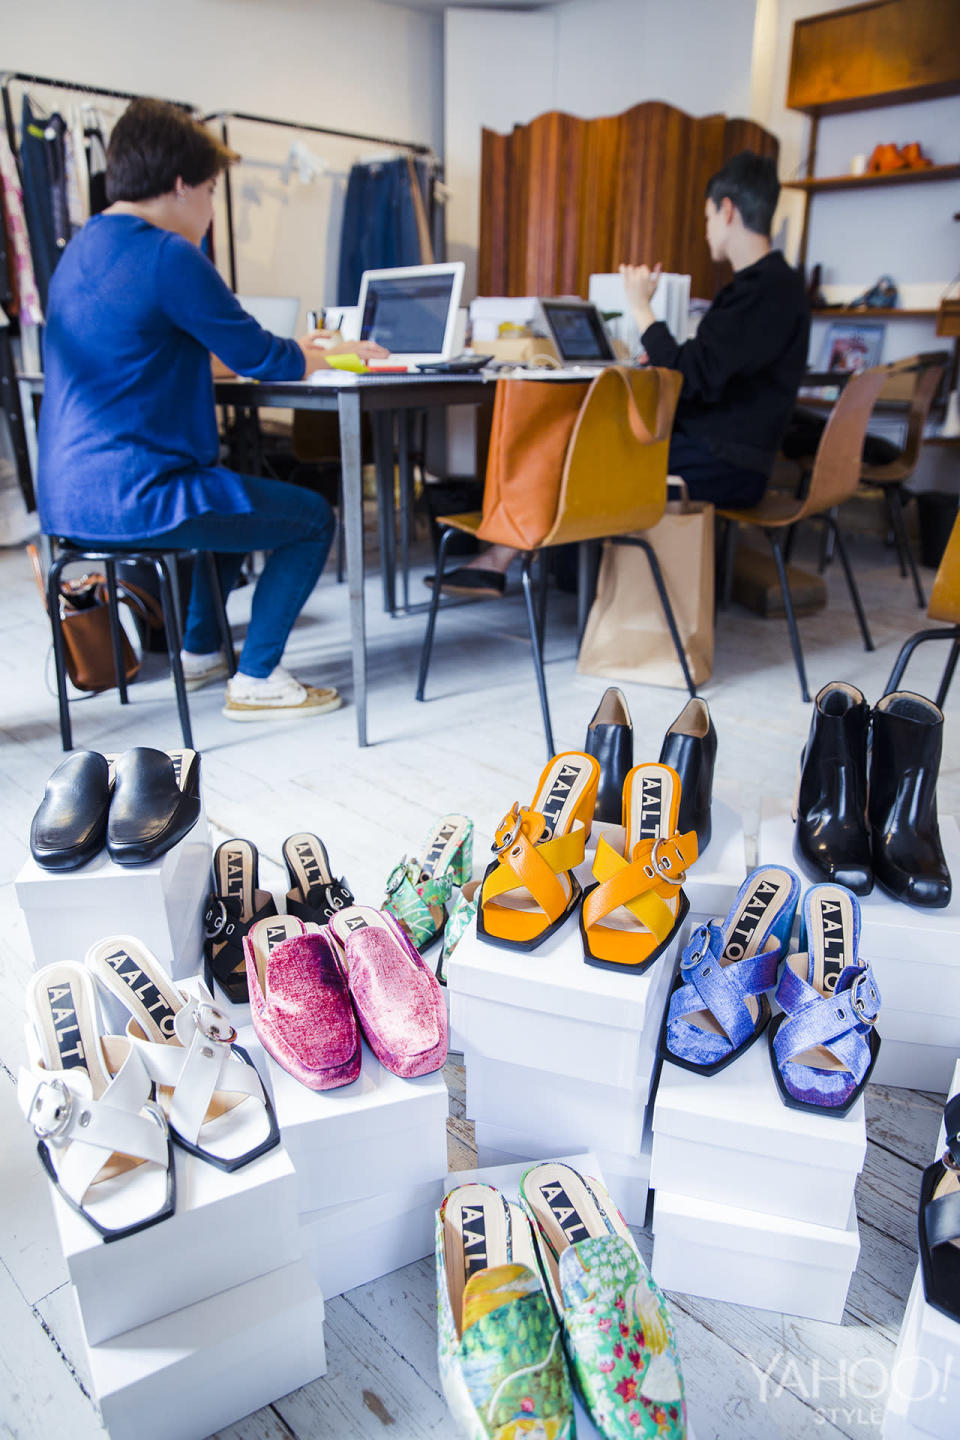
pixel 379 227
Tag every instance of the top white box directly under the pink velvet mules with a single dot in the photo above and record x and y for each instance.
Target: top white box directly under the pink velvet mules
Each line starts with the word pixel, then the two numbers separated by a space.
pixel 362 1140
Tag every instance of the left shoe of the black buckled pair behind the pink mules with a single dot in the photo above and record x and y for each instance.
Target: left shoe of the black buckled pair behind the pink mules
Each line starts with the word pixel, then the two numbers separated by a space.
pixel 235 904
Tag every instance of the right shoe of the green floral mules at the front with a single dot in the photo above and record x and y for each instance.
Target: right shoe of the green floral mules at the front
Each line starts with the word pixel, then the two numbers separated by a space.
pixel 617 1327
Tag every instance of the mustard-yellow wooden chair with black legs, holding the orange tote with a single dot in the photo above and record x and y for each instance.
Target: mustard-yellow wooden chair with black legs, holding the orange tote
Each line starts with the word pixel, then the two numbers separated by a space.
pixel 612 485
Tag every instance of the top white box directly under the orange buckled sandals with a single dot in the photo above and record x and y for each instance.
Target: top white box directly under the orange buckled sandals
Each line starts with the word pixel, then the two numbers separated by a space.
pixel 552 1012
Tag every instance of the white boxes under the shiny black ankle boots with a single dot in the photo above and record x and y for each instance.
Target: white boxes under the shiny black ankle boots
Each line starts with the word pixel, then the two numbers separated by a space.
pixel 915 957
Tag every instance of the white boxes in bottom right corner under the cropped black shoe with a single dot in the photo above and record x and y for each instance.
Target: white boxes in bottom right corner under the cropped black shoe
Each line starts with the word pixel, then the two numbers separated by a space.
pixel 923 1395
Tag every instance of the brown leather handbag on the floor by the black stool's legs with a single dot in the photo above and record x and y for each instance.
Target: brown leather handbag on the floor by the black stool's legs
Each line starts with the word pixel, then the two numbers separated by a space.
pixel 86 624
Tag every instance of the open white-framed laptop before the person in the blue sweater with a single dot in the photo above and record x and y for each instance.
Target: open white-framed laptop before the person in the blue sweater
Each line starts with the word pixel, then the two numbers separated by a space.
pixel 411 310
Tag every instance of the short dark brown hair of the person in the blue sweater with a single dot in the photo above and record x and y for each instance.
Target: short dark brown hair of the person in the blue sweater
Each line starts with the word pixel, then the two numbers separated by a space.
pixel 155 143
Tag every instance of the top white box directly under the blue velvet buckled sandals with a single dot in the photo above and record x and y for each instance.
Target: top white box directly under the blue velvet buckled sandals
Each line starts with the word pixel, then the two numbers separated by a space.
pixel 730 1138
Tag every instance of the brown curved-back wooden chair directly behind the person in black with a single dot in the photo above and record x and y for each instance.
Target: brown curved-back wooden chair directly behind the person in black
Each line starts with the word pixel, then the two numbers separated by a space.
pixel 834 479
